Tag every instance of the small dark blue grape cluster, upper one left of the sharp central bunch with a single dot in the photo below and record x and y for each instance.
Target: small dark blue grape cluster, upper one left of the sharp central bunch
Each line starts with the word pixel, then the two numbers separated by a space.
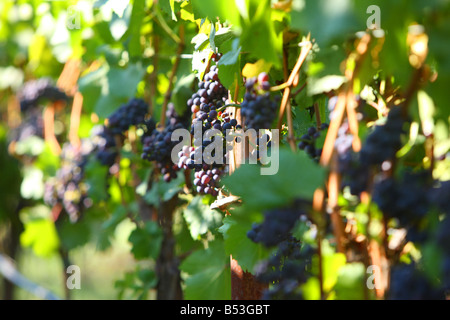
pixel 130 114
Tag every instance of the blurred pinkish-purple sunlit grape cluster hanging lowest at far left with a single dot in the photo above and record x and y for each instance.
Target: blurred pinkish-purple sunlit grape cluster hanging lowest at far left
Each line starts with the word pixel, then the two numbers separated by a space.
pixel 67 188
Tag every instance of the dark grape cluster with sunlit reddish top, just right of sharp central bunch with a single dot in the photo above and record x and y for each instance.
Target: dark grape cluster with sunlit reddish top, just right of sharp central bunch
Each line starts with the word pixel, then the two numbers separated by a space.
pixel 258 108
